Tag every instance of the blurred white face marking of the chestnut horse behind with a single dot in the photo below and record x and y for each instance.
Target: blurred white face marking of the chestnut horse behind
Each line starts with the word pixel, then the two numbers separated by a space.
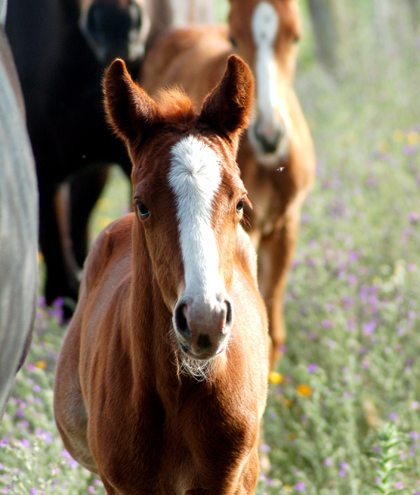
pixel 272 114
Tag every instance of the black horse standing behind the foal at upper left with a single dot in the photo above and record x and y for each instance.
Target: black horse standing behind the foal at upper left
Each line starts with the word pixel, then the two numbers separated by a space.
pixel 61 48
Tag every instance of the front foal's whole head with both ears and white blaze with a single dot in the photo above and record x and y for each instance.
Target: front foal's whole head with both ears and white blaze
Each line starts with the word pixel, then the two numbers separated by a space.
pixel 188 196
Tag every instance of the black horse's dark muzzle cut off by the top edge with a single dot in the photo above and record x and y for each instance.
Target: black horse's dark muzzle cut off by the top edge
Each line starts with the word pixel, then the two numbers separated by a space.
pixel 115 28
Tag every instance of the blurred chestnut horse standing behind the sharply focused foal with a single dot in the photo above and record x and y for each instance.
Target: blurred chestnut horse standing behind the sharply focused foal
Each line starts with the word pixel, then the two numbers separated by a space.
pixel 276 158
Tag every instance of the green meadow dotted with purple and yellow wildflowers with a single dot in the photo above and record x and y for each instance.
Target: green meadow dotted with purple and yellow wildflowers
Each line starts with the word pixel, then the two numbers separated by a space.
pixel 343 413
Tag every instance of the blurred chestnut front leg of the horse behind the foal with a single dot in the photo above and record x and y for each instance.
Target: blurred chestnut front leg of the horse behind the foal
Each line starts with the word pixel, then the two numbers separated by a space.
pixel 275 253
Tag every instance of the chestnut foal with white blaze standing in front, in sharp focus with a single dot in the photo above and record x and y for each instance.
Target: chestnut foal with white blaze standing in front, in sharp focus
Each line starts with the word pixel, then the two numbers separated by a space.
pixel 161 381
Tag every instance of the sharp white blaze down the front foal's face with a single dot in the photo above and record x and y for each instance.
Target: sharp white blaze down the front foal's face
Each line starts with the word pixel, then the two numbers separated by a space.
pixel 195 179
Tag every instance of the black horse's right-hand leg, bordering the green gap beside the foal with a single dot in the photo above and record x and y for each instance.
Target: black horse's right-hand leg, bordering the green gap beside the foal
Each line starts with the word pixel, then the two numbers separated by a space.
pixel 85 190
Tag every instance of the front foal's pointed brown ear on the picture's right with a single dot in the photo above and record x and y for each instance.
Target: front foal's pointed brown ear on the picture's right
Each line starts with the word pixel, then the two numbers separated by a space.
pixel 229 105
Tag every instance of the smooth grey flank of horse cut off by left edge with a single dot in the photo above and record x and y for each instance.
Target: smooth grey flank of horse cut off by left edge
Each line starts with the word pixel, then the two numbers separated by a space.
pixel 18 224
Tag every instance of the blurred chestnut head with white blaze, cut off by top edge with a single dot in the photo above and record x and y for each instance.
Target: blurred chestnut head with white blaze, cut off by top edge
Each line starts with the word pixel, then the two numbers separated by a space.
pixel 264 33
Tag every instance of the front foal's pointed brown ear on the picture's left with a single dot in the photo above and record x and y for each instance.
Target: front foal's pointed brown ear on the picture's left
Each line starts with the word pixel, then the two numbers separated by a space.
pixel 129 109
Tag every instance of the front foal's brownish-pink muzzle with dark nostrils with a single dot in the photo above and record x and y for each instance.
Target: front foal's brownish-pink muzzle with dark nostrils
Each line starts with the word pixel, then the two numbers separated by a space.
pixel 201 329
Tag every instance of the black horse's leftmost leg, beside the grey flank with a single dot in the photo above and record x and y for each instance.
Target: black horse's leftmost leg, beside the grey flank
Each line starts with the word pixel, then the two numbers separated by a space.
pixel 61 279
